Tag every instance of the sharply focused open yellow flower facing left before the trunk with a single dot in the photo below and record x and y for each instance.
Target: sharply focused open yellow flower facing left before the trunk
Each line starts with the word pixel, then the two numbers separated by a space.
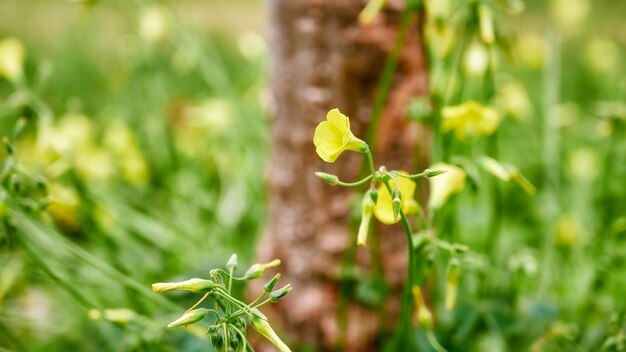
pixel 333 136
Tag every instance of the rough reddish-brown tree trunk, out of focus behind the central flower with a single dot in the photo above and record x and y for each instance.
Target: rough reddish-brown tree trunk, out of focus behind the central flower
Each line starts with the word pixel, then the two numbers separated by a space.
pixel 321 58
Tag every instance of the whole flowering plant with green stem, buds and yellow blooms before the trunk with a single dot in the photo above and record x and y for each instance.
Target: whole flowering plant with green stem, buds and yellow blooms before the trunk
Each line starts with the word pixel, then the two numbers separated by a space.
pixel 390 198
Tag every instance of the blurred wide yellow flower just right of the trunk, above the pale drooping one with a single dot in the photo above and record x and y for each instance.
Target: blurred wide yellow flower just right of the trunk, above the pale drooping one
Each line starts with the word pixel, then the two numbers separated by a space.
pixel 470 119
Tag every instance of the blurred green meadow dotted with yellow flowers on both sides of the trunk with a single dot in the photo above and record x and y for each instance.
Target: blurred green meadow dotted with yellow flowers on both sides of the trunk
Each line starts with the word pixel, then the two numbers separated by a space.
pixel 142 150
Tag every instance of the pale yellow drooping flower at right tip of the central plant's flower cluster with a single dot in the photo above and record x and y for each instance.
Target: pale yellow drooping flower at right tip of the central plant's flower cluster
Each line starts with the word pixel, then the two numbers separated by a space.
pixel 445 185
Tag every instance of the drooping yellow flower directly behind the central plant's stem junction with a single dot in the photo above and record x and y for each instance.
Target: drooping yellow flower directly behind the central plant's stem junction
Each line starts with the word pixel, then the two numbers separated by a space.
pixel 384 206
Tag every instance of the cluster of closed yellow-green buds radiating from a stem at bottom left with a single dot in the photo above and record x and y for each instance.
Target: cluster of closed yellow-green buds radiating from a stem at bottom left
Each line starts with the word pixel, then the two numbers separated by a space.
pixel 231 316
